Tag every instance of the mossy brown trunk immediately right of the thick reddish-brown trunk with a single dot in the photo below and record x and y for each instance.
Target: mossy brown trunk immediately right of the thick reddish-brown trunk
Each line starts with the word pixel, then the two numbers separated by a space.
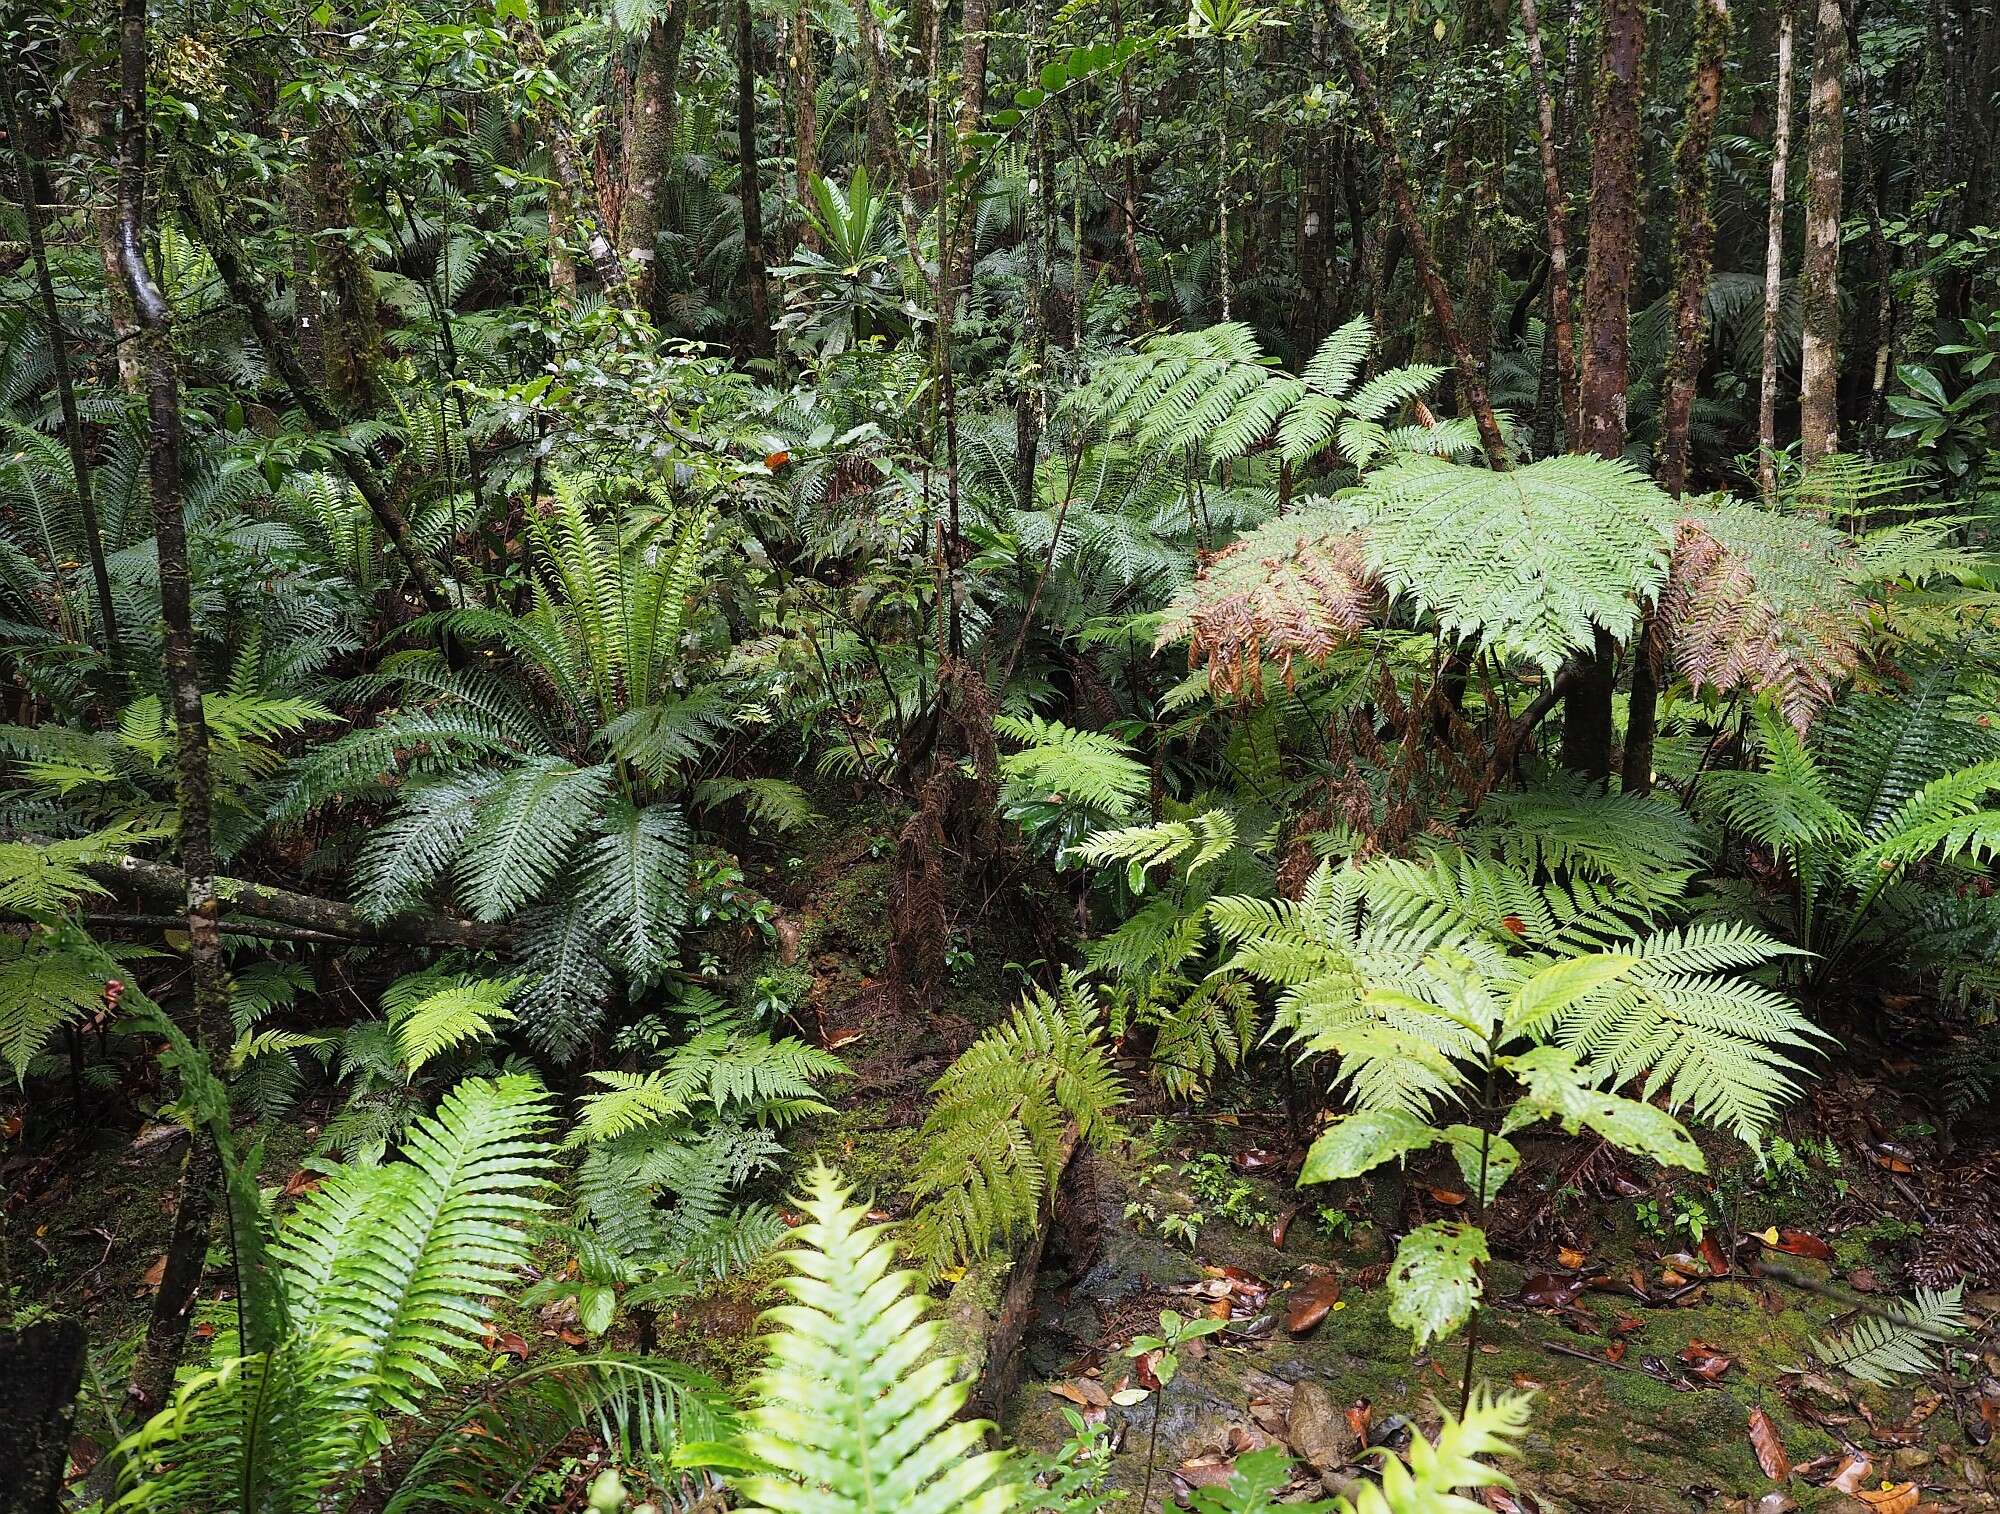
pixel 1695 239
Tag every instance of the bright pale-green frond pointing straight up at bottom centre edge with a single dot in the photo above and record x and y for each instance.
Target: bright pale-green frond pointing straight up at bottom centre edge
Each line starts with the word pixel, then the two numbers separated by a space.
pixel 857 1409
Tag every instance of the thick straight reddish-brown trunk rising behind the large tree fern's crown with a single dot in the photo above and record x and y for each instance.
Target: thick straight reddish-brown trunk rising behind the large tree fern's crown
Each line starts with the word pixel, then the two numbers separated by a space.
pixel 1615 229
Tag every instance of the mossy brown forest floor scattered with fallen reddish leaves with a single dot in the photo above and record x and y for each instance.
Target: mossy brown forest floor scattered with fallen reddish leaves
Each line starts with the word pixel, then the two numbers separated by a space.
pixel 1615 1295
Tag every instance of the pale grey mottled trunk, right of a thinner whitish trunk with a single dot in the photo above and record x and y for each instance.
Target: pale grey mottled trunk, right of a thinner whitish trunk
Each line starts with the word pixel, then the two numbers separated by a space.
pixel 1819 363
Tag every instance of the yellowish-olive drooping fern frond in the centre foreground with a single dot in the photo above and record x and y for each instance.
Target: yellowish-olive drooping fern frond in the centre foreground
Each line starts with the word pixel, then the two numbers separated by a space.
pixel 993 1141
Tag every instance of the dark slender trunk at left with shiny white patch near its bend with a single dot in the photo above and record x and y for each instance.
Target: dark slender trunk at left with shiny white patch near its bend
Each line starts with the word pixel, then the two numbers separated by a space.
pixel 167 1331
